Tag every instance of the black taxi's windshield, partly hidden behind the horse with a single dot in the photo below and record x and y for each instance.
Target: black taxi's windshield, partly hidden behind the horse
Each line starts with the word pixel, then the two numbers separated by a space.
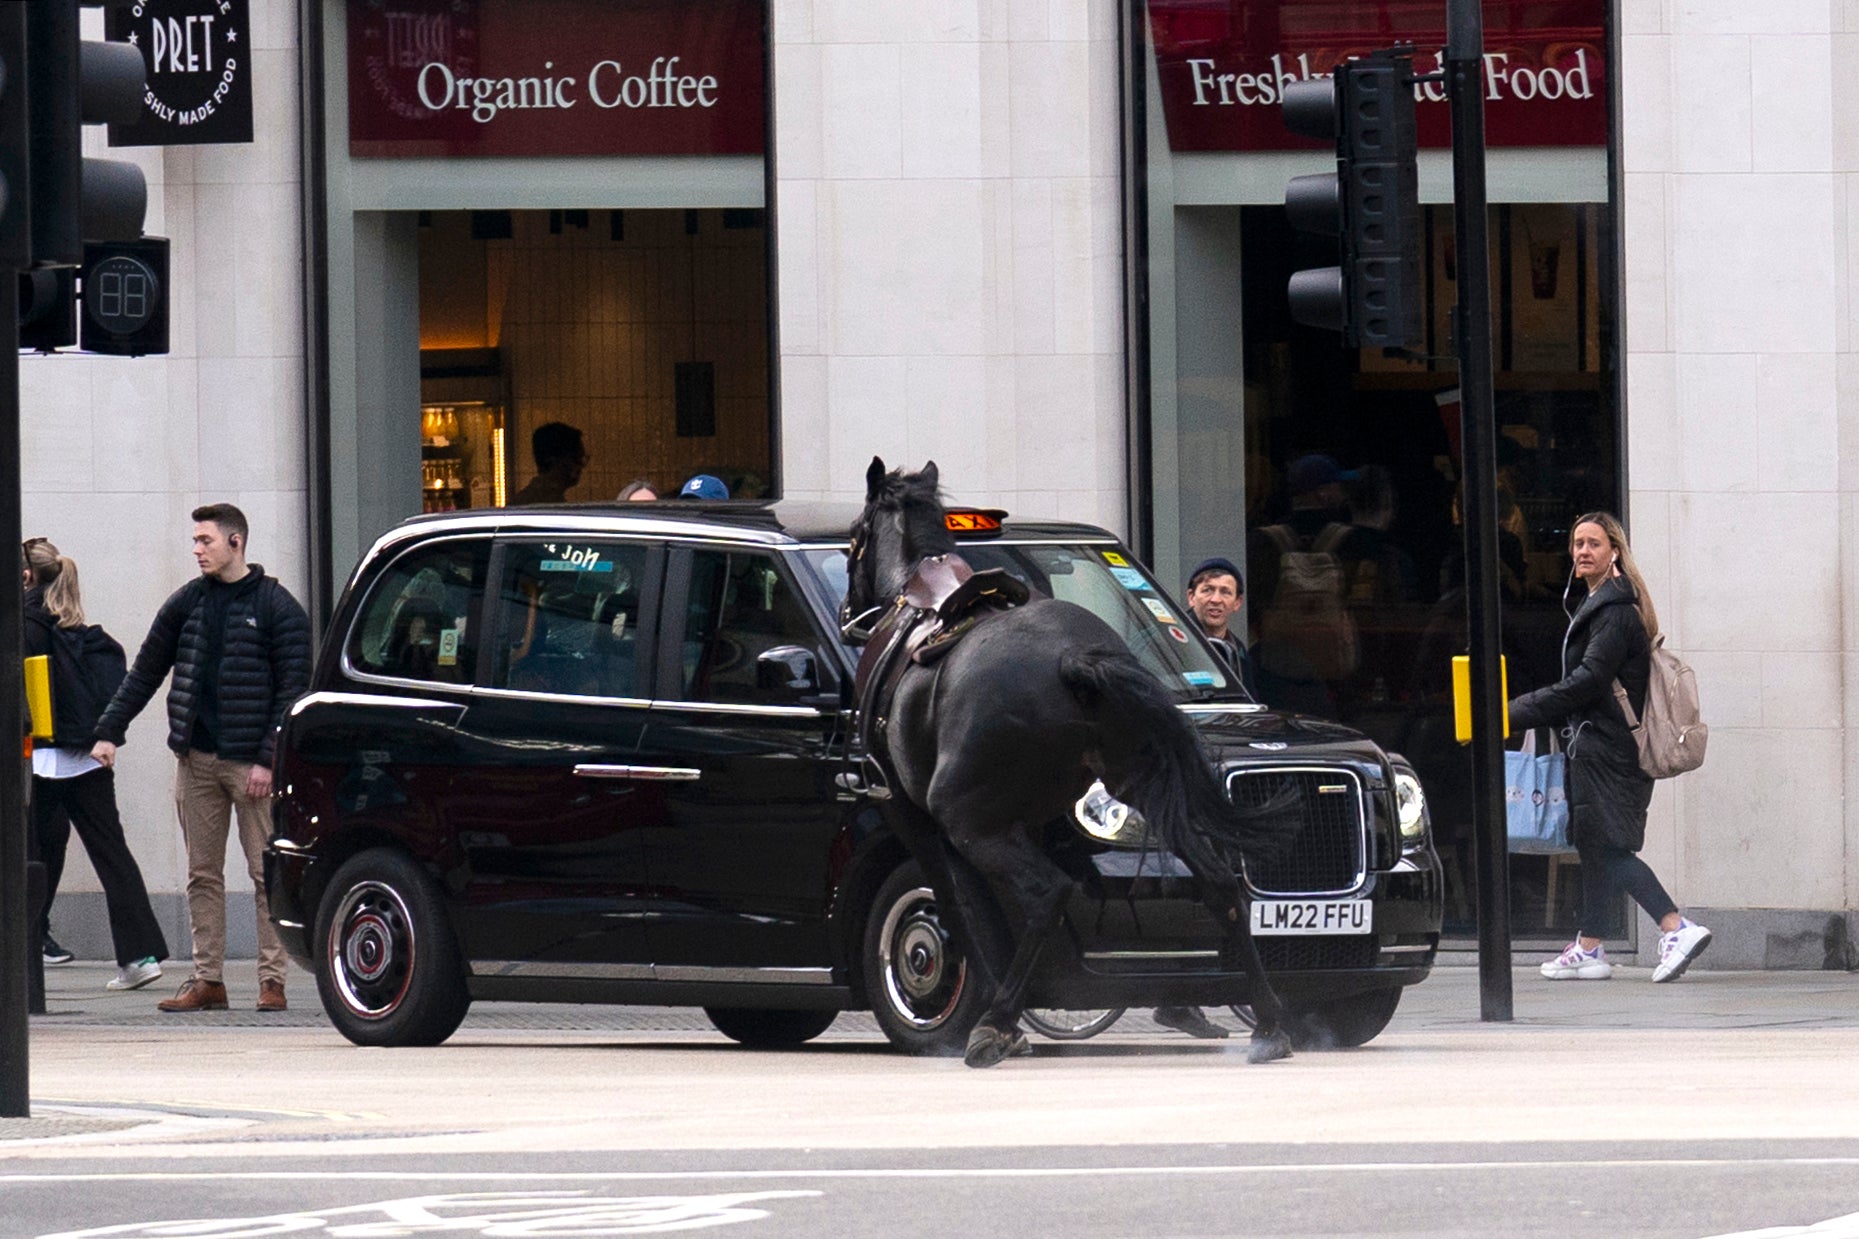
pixel 1105 581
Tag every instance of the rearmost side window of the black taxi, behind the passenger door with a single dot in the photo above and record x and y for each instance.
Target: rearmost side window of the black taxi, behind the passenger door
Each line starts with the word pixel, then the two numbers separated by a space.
pixel 419 620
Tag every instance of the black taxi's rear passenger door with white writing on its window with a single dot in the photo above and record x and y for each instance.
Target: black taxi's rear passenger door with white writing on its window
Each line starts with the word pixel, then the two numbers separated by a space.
pixel 551 825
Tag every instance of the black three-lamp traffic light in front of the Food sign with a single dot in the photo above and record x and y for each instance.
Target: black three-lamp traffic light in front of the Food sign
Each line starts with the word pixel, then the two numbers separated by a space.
pixel 1371 204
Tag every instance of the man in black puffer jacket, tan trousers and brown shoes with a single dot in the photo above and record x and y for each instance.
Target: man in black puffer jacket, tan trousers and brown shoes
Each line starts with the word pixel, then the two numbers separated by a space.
pixel 241 652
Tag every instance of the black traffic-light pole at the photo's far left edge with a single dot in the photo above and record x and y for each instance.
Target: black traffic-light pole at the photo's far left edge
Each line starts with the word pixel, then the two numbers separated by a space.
pixel 14 929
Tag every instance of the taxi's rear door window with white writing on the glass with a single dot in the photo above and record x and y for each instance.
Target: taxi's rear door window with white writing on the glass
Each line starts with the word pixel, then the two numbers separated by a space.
pixel 572 619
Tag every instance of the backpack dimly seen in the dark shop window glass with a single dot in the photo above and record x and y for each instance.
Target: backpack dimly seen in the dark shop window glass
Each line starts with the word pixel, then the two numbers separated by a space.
pixel 1308 615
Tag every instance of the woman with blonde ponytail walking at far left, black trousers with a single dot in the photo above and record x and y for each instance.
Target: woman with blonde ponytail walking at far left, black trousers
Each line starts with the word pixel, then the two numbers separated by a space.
pixel 70 788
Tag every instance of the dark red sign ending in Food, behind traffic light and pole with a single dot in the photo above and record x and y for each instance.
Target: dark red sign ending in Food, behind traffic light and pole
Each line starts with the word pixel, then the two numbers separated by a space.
pixel 1224 68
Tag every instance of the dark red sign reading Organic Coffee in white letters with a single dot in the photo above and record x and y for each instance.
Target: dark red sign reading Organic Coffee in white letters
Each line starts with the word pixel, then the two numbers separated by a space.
pixel 555 77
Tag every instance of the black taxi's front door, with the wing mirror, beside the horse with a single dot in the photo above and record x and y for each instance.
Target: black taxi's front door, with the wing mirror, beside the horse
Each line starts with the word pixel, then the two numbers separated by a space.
pixel 748 717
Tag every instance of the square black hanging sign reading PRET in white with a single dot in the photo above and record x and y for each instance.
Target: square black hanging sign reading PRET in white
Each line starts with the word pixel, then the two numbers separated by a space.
pixel 198 59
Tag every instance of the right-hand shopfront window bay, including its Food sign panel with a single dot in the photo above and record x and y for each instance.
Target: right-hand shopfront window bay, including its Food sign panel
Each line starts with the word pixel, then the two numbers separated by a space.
pixel 1336 473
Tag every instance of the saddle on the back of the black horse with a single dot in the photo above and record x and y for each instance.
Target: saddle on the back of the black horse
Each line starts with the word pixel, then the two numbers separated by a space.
pixel 943 602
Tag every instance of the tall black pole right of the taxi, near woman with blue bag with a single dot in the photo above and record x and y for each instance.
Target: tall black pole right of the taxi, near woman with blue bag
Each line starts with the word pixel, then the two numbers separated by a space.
pixel 1466 44
